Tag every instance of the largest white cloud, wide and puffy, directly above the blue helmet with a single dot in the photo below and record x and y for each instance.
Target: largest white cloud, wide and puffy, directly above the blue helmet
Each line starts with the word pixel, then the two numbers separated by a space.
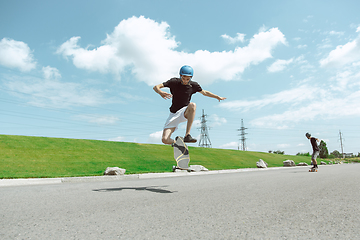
pixel 156 59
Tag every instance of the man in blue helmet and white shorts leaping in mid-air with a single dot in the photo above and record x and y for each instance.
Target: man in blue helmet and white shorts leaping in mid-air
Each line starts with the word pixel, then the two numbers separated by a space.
pixel 182 109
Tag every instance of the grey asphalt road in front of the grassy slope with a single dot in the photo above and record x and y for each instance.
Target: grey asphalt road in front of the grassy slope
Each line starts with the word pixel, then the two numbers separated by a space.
pixel 287 203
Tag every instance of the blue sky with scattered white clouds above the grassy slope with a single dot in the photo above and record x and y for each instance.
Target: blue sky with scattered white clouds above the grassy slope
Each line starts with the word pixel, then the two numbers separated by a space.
pixel 85 70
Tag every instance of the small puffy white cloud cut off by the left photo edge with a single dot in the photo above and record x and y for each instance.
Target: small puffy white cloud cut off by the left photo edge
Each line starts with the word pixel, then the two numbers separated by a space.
pixel 16 54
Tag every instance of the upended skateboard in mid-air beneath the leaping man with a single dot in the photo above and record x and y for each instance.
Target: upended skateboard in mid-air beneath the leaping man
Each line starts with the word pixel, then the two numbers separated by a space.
pixel 181 155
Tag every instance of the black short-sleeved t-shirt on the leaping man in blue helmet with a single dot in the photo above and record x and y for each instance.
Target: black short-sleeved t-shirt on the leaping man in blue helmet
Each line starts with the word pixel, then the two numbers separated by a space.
pixel 181 93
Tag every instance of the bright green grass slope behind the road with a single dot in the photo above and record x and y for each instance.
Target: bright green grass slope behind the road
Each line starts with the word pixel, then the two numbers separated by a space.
pixel 33 157
